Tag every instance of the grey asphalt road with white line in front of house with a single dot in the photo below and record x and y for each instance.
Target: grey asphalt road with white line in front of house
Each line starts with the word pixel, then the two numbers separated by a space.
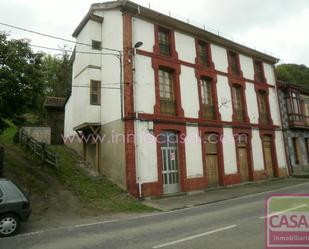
pixel 232 224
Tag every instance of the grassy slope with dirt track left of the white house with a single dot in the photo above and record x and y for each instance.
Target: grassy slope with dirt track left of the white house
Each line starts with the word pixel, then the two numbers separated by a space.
pixel 93 194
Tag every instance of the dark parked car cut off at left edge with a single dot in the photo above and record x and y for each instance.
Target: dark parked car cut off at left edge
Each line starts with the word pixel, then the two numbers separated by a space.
pixel 14 208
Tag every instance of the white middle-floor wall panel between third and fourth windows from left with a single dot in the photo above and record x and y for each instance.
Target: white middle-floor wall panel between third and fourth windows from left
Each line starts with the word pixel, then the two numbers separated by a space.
pixel 252 105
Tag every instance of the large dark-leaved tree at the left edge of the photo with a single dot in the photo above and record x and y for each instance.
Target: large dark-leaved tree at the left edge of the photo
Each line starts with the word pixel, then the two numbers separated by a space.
pixel 21 79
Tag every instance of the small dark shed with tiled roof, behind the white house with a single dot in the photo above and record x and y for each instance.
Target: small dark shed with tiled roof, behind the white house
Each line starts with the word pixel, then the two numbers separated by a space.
pixel 55 117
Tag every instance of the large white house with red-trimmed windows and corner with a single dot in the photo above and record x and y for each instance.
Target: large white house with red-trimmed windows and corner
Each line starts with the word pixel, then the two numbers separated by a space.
pixel 183 81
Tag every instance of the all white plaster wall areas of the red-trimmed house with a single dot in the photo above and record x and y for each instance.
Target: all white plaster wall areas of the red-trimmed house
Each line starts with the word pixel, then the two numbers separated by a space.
pixel 106 69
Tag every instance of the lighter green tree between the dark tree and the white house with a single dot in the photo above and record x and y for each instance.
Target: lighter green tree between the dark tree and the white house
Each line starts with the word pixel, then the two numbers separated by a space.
pixel 57 71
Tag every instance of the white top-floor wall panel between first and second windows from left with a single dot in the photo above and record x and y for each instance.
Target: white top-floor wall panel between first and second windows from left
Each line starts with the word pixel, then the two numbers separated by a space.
pixel 185 47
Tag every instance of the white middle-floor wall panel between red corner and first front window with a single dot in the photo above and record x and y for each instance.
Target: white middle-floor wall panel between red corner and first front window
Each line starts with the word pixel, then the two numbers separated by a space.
pixel 145 85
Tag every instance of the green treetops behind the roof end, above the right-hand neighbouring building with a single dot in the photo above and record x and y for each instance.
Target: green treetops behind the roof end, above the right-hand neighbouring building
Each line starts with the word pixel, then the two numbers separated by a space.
pixel 293 73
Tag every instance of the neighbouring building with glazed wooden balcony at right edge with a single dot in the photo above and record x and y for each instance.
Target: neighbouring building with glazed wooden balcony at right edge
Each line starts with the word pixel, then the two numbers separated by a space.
pixel 294 103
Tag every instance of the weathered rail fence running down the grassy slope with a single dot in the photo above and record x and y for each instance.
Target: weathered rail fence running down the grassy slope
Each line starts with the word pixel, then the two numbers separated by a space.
pixel 39 149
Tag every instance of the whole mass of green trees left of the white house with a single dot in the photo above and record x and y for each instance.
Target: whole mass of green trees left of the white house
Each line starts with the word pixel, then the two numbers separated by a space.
pixel 27 77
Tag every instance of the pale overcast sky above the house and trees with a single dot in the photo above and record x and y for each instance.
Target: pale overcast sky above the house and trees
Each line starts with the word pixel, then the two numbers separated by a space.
pixel 278 27
